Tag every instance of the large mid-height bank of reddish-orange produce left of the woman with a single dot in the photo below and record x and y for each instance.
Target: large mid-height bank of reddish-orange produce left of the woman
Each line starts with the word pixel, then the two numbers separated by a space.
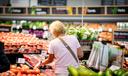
pixel 22 43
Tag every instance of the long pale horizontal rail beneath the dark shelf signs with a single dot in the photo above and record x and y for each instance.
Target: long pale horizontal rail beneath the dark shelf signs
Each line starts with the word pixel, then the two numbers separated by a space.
pixel 66 18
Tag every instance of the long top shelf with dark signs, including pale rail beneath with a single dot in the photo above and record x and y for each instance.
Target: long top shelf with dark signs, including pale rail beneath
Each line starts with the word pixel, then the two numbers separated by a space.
pixel 66 13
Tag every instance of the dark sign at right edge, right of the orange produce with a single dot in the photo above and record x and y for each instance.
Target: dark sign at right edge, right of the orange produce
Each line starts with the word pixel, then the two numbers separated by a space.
pixel 121 35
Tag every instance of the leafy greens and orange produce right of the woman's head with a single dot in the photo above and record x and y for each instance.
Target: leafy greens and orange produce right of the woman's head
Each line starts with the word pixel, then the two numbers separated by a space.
pixel 90 31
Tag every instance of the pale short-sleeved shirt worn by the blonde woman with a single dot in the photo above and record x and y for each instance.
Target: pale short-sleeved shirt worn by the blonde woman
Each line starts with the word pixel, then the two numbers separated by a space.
pixel 63 57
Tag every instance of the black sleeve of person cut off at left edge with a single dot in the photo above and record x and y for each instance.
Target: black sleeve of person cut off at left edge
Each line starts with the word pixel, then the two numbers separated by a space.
pixel 4 62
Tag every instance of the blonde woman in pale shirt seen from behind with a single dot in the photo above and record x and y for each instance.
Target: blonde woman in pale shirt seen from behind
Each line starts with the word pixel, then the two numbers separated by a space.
pixel 58 52
